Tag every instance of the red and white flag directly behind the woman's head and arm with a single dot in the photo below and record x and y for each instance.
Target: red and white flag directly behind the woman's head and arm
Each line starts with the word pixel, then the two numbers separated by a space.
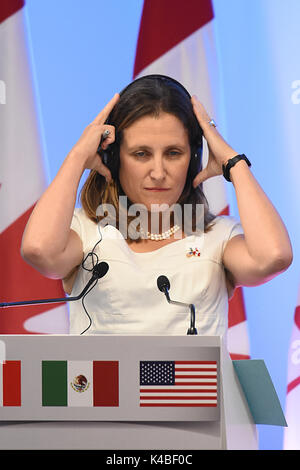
pixel 177 39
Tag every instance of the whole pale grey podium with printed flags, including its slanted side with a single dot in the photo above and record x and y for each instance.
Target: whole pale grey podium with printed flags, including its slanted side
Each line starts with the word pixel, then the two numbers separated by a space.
pixel 121 392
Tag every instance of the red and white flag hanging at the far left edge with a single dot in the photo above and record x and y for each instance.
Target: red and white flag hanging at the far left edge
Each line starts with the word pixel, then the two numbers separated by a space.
pixel 22 181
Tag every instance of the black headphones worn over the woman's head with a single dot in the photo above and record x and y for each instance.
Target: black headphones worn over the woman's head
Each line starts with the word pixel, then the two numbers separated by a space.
pixel 110 156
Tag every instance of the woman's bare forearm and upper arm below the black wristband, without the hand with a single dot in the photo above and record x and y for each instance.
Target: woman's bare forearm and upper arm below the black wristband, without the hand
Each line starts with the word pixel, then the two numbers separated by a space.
pixel 264 250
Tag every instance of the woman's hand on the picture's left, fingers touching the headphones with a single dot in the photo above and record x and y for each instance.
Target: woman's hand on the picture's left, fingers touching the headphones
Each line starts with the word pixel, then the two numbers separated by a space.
pixel 87 146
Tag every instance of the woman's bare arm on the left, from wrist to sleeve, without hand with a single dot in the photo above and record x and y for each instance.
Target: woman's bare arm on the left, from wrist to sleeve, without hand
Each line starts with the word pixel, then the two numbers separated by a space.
pixel 48 244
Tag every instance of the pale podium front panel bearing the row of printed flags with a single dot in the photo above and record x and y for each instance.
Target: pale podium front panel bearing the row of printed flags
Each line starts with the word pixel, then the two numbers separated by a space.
pixel 110 378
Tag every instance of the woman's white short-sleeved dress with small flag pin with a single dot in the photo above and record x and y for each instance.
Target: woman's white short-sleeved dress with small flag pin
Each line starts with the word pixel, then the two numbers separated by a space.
pixel 127 300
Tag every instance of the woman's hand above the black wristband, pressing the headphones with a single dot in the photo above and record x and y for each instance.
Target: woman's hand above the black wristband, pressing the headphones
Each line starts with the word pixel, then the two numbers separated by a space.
pixel 219 151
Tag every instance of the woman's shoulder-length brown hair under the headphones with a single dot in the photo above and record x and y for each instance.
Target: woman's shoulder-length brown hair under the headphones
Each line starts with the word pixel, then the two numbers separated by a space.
pixel 148 96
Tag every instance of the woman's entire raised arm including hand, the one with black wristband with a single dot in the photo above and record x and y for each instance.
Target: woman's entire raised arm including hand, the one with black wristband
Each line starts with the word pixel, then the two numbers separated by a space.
pixel 264 250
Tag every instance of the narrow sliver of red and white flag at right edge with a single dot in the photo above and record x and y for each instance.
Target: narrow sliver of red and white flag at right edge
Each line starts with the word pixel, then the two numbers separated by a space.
pixel 292 408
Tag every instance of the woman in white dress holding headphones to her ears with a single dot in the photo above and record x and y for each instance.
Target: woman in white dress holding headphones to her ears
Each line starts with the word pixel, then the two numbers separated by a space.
pixel 153 142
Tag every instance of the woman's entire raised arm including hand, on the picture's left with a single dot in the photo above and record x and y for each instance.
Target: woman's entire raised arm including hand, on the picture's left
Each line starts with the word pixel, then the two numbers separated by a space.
pixel 48 244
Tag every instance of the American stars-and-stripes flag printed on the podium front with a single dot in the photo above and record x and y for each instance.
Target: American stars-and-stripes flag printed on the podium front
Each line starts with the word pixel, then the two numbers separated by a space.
pixel 178 383
